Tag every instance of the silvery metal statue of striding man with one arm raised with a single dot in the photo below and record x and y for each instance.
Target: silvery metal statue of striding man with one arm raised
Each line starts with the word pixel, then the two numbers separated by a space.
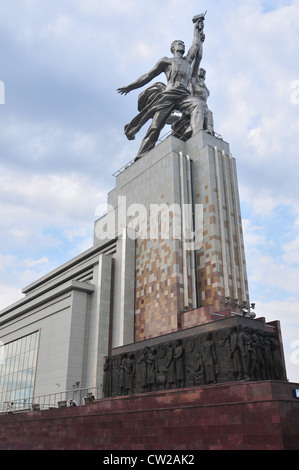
pixel 158 102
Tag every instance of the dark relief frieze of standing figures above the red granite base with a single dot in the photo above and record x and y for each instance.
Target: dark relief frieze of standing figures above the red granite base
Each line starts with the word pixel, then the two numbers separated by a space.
pixel 228 350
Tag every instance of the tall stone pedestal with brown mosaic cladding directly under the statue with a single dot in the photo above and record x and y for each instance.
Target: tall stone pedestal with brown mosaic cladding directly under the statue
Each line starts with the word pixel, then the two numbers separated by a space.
pixel 177 189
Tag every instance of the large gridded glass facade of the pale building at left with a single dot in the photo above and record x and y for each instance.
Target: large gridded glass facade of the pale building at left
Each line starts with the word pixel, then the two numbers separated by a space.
pixel 17 371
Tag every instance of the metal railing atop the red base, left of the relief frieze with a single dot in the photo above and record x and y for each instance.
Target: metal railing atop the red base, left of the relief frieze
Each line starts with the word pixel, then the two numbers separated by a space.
pixel 77 396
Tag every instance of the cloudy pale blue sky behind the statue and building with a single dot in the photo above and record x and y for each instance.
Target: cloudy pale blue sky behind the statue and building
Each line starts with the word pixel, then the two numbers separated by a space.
pixel 62 139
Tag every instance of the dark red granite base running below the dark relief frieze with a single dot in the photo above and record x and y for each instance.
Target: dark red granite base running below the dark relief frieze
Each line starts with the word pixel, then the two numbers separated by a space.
pixel 234 416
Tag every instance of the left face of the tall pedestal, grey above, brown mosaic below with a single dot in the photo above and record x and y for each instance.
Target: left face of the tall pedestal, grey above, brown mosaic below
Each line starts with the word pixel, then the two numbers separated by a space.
pixel 153 180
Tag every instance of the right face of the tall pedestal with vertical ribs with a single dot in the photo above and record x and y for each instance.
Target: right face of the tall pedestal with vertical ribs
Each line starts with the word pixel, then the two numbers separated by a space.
pixel 221 262
